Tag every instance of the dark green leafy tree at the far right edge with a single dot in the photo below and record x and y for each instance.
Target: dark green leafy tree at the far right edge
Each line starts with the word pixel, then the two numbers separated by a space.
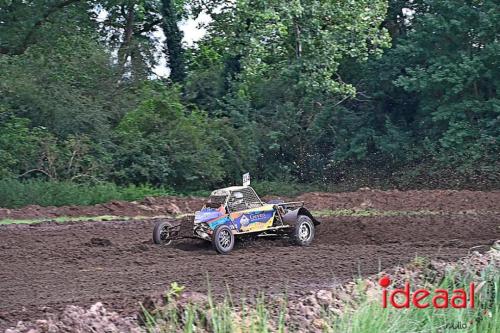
pixel 452 66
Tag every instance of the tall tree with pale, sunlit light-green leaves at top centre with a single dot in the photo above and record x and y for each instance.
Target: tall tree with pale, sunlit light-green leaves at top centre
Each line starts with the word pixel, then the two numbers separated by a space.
pixel 281 61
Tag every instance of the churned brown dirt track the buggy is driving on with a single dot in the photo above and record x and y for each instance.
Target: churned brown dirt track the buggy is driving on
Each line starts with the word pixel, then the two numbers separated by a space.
pixel 47 266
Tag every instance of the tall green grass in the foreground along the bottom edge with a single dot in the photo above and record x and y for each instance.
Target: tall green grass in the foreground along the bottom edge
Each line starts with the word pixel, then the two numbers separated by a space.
pixel 367 316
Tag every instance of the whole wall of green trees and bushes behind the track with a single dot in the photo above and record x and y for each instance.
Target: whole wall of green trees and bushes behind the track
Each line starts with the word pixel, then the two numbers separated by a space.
pixel 400 92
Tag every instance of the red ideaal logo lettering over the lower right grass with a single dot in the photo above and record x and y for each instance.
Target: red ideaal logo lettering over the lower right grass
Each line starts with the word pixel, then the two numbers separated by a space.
pixel 423 298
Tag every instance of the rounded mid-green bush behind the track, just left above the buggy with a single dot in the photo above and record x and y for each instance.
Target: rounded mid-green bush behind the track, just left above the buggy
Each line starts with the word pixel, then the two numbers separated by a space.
pixel 160 143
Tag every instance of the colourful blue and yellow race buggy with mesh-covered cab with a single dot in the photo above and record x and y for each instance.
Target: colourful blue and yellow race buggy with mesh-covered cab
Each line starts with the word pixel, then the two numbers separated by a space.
pixel 237 211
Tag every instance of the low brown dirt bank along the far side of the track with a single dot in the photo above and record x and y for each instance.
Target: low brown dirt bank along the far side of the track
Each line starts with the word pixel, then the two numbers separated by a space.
pixel 439 200
